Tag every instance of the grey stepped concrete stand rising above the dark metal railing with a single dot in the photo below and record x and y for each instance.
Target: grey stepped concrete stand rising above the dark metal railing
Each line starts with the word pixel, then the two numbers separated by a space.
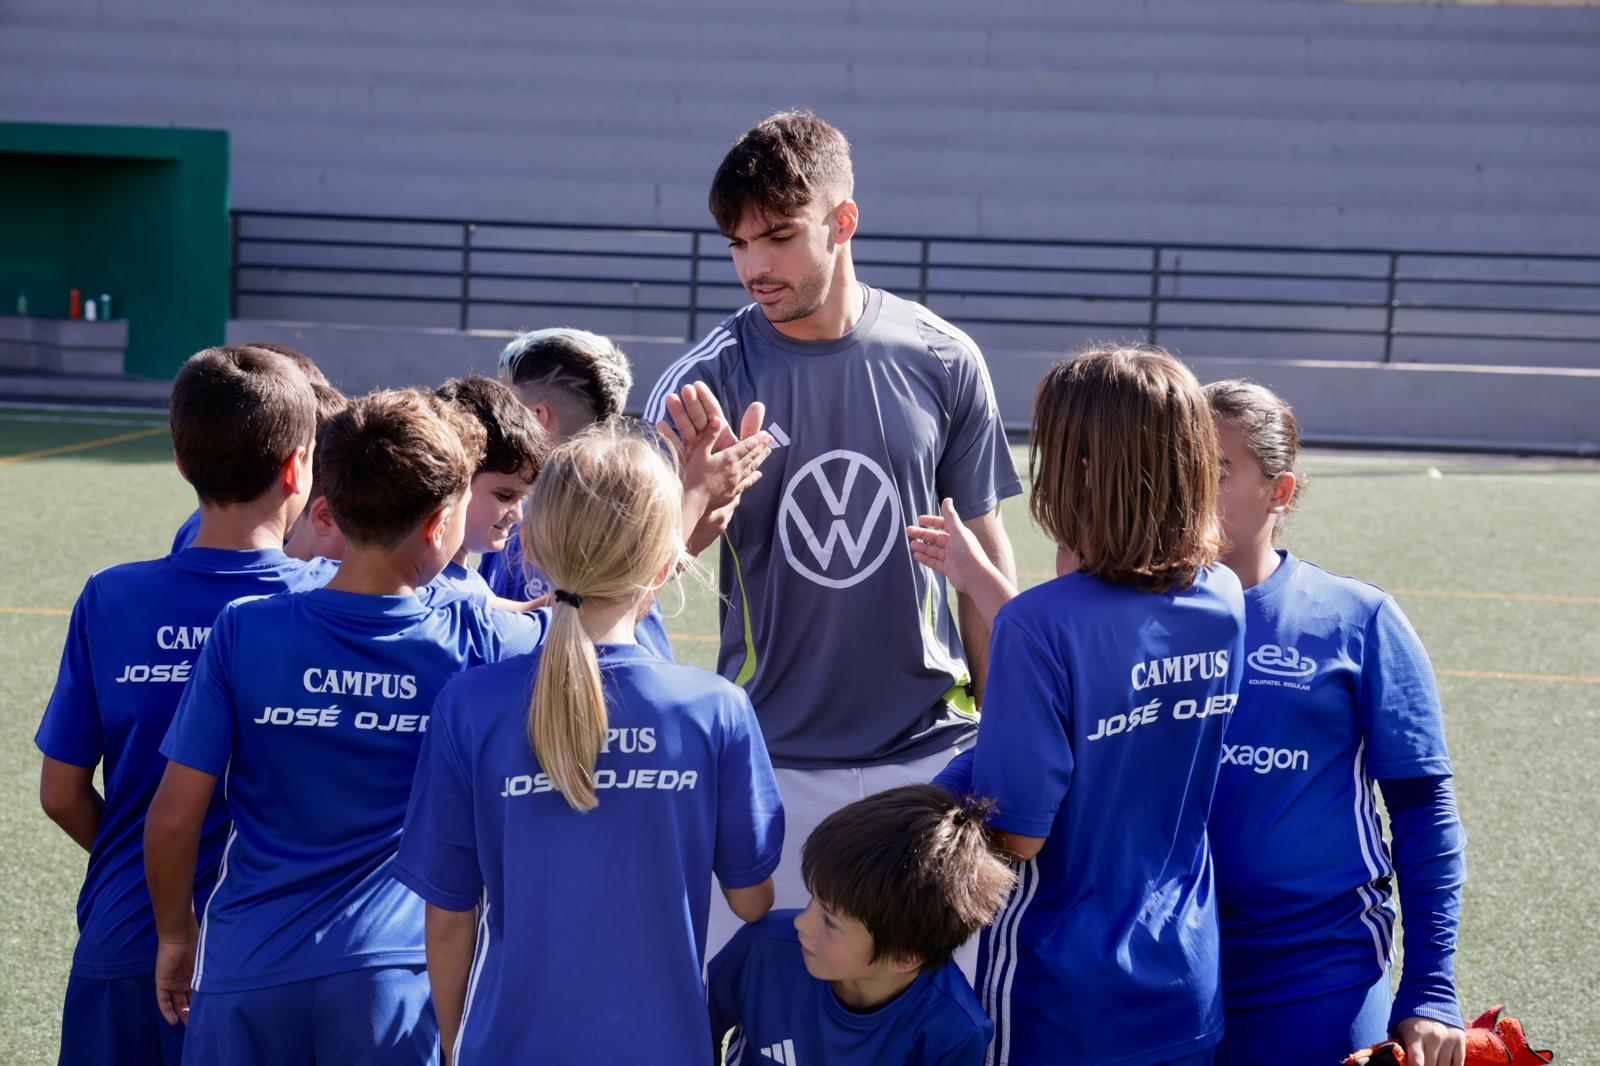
pixel 1223 121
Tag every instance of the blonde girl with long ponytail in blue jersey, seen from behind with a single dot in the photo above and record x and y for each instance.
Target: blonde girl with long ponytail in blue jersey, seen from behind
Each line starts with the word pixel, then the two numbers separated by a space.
pixel 572 808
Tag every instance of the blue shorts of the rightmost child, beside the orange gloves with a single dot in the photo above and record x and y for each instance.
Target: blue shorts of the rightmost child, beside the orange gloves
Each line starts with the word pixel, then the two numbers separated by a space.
pixel 1318 1030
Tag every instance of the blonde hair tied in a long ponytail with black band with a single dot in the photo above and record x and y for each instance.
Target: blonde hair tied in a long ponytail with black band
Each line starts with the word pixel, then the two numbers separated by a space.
pixel 606 527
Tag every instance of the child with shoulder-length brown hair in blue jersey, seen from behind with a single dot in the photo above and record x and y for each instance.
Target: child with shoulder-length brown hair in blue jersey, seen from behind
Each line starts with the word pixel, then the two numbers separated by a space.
pixel 1110 691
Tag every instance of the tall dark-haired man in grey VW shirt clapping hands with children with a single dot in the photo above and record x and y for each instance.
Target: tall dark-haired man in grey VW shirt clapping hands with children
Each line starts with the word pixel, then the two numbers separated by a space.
pixel 878 411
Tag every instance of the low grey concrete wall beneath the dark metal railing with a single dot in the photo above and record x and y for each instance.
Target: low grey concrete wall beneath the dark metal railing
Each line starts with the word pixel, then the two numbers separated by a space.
pixel 1537 411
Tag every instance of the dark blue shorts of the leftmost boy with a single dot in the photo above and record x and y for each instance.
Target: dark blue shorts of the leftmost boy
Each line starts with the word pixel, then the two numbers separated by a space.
pixel 118 1024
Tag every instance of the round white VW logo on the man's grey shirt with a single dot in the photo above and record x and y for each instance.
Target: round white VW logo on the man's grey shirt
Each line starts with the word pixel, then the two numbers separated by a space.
pixel 834 476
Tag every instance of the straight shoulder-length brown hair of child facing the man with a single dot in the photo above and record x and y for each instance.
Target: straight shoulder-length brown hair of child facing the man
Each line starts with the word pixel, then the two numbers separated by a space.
pixel 1126 467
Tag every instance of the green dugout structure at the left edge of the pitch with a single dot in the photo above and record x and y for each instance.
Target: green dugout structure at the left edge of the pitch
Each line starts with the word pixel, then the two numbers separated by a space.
pixel 140 214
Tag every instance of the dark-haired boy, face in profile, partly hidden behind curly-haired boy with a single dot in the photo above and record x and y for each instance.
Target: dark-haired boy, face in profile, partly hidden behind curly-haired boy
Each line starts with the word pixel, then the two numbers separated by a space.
pixel 513 455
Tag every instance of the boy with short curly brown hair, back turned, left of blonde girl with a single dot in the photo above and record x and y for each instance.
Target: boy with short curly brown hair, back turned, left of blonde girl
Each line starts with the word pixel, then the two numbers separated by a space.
pixel 314 708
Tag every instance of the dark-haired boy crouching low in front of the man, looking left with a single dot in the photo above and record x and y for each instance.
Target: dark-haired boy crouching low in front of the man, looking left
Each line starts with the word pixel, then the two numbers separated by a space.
pixel 865 976
